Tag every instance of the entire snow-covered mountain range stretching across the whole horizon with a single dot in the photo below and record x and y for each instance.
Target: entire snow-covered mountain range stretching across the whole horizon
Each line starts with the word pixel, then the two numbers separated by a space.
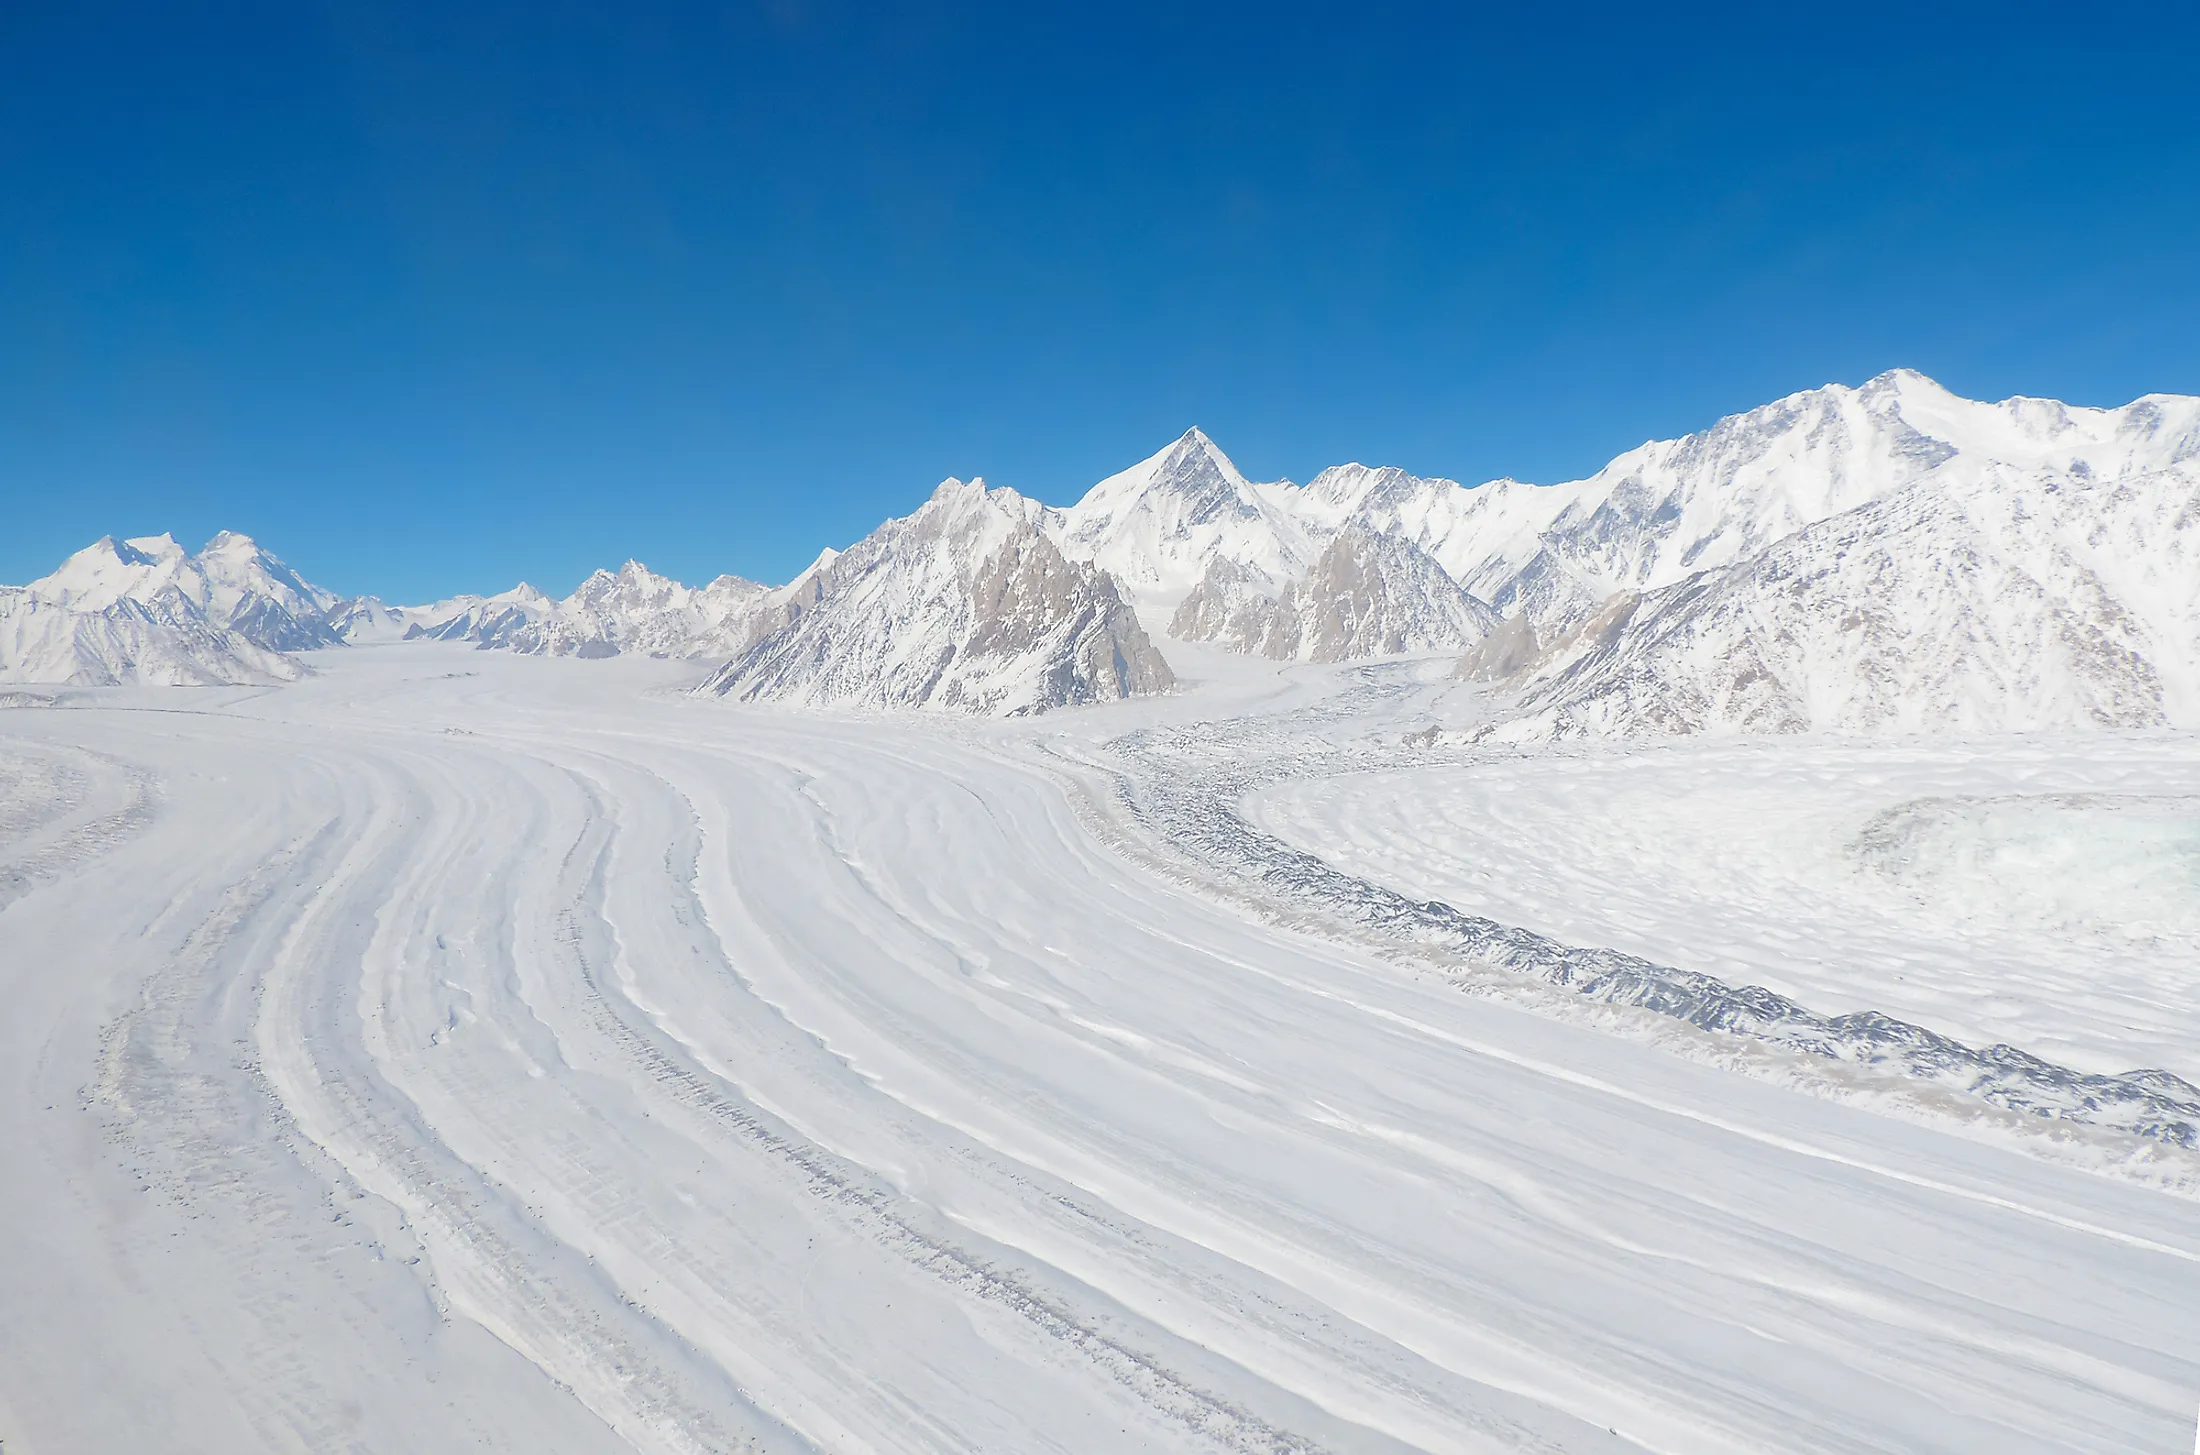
pixel 1880 558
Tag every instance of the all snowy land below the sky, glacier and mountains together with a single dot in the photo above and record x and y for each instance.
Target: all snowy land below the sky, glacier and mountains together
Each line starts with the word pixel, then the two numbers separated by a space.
pixel 1702 959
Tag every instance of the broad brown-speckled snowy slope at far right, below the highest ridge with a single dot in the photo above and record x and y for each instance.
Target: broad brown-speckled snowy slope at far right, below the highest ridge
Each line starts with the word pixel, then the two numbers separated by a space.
pixel 2016 602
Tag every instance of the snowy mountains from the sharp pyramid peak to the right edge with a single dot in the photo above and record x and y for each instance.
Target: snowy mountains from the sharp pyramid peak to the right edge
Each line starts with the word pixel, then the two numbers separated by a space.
pixel 1880 558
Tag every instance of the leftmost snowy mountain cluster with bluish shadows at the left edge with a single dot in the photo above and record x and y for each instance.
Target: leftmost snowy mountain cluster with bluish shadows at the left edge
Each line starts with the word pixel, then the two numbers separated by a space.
pixel 148 613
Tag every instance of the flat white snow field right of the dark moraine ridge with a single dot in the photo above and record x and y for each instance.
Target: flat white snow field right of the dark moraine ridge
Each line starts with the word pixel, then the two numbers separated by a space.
pixel 2025 890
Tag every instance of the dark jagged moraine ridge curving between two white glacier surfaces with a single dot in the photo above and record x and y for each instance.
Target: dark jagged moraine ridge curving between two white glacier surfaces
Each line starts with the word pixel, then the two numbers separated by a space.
pixel 1185 787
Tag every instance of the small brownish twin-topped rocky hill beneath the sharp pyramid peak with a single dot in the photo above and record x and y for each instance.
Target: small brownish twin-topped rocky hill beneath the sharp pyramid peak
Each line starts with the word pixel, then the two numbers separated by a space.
pixel 1365 595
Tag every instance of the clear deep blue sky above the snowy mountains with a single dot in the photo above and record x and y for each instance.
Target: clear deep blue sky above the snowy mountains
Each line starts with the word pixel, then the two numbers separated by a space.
pixel 437 298
